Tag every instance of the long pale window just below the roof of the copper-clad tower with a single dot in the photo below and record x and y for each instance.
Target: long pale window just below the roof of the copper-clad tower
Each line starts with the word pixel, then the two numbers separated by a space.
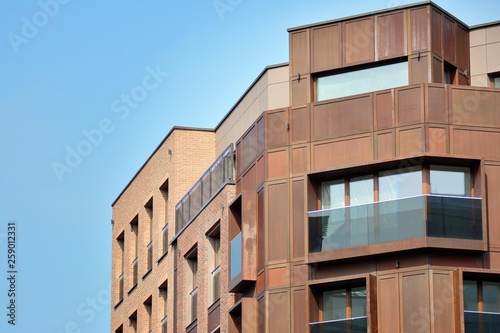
pixel 362 81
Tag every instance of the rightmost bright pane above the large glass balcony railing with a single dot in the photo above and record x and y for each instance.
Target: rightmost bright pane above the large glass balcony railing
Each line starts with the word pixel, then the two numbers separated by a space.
pixel 453 181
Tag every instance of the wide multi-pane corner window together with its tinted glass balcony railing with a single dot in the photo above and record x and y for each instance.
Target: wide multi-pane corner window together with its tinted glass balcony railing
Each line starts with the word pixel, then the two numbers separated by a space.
pixel 394 205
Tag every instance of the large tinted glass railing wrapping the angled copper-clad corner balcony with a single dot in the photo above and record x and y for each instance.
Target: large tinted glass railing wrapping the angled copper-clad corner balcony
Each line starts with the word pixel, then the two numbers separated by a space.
pixel 395 220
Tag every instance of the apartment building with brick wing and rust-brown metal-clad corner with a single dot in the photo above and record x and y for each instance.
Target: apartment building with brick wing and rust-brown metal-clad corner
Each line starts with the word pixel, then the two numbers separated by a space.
pixel 354 189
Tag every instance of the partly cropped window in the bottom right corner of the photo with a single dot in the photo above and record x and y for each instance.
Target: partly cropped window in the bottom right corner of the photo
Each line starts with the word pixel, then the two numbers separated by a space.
pixel 481 305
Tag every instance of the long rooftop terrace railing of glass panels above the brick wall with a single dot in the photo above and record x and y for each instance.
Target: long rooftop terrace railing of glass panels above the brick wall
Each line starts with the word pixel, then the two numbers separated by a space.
pixel 212 181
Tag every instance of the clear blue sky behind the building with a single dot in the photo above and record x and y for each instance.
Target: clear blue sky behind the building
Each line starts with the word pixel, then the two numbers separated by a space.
pixel 71 139
